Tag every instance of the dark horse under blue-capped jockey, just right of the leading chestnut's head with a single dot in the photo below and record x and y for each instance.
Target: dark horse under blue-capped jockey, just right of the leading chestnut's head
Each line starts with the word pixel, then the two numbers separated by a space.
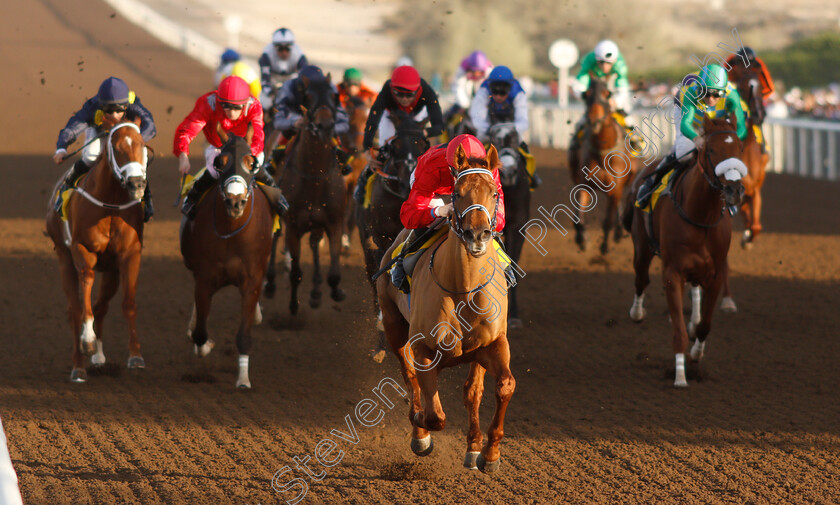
pixel 517 190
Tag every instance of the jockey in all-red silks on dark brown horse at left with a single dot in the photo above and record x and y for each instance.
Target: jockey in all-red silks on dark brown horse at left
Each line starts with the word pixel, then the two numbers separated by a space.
pixel 231 108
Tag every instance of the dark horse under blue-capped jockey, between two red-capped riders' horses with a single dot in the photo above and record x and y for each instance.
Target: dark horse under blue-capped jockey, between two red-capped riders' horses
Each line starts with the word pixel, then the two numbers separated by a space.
pixel 316 191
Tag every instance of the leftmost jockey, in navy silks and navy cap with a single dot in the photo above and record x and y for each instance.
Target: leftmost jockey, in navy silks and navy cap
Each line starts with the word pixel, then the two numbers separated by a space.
pixel 112 103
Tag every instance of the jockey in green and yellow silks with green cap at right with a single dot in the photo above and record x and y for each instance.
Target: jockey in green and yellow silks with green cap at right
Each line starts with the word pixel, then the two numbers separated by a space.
pixel 709 95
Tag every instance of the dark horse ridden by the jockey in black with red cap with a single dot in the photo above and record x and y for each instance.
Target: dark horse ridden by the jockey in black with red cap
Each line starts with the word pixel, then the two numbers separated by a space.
pixel 379 224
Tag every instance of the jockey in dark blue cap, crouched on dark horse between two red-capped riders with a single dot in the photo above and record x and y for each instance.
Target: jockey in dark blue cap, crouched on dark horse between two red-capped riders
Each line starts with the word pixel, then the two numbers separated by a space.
pixel 289 118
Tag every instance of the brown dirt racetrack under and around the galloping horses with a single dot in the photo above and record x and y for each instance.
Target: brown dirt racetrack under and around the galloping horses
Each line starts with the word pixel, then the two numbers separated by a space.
pixel 594 418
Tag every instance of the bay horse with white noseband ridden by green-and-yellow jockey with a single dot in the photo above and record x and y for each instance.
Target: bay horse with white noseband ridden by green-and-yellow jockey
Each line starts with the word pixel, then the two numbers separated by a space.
pixel 692 230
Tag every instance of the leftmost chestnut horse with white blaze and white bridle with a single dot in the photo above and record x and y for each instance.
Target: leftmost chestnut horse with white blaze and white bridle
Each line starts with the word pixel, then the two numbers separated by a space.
pixel 103 233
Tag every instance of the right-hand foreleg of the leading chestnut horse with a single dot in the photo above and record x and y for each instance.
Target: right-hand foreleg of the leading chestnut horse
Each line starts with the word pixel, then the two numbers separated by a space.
pixel 496 358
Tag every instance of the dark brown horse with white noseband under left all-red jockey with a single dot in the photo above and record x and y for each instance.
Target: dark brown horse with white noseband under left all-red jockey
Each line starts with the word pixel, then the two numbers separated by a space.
pixel 228 243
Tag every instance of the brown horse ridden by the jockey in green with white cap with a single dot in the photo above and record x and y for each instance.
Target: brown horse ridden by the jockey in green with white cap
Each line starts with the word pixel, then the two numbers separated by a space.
pixel 594 160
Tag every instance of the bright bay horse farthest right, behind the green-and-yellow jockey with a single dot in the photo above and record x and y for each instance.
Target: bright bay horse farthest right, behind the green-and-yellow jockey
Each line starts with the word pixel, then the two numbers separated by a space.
pixel 750 89
